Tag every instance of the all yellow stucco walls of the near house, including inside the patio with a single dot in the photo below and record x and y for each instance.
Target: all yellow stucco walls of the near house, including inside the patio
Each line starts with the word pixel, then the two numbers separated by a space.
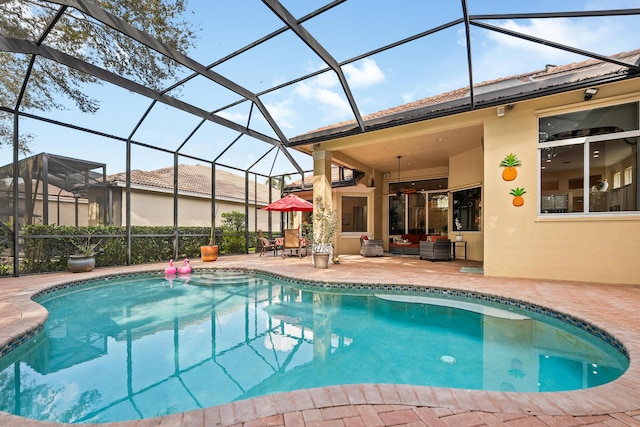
pixel 518 241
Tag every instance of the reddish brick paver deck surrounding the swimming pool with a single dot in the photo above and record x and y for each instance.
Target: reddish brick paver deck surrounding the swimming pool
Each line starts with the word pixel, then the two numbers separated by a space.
pixel 612 307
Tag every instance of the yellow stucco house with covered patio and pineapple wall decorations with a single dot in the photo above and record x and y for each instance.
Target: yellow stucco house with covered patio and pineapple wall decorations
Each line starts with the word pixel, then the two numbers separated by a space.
pixel 577 172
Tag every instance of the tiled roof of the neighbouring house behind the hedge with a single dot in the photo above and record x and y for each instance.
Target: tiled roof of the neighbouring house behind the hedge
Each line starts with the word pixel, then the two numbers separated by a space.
pixel 196 179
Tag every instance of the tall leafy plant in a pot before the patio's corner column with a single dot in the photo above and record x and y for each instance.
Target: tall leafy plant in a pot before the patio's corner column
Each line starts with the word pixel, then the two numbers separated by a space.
pixel 320 232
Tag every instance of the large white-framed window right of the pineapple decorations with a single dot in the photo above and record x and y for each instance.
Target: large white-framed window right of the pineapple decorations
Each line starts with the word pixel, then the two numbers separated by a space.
pixel 581 155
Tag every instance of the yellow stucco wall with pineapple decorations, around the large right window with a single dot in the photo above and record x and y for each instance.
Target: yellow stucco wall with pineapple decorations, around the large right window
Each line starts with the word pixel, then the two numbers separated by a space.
pixel 521 243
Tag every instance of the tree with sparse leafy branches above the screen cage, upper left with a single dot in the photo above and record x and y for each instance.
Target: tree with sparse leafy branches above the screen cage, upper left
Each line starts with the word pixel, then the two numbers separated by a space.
pixel 82 37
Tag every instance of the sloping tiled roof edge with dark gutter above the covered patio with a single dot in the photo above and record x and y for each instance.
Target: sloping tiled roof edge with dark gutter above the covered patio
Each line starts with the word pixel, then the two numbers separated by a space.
pixel 552 79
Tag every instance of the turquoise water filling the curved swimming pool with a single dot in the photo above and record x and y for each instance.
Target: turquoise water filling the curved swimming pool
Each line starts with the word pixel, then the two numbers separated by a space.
pixel 144 346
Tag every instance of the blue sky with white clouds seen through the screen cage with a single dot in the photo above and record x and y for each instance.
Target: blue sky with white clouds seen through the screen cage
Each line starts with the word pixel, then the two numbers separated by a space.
pixel 422 68
